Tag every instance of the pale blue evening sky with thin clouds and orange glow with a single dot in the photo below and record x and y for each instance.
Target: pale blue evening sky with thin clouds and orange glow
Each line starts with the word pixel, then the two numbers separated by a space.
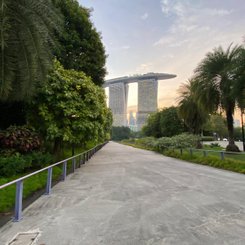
pixel 169 36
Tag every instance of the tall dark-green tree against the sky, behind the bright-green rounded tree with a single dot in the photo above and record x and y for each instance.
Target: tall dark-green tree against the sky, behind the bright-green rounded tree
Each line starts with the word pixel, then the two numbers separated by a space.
pixel 80 44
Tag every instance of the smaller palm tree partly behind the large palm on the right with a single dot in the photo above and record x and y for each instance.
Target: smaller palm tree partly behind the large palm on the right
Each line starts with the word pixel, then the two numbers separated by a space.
pixel 194 116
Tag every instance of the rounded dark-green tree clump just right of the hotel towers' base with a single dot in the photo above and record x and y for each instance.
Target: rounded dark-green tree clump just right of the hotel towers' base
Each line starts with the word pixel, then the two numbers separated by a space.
pixel 164 123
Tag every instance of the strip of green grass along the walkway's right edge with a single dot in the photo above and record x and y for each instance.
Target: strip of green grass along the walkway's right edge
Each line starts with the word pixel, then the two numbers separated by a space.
pixel 232 162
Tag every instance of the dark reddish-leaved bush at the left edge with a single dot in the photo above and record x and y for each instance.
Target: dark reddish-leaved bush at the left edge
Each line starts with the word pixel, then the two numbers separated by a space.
pixel 20 139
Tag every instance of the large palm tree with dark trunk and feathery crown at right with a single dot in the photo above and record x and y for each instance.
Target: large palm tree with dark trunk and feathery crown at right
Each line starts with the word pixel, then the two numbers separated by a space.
pixel 216 84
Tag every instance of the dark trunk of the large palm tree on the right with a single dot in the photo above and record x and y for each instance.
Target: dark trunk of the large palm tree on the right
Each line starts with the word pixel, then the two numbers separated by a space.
pixel 229 119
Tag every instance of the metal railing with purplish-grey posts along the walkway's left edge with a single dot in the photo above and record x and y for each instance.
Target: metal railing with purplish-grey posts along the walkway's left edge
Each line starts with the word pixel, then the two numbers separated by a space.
pixel 77 161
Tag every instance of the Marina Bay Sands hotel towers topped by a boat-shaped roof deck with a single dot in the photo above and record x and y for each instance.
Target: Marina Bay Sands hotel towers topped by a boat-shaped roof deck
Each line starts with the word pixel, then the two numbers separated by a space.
pixel 147 96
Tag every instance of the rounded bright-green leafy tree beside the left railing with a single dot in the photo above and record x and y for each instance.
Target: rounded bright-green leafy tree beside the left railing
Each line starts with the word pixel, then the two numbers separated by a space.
pixel 70 108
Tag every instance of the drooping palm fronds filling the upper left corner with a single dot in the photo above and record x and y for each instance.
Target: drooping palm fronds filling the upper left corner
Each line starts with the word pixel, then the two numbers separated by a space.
pixel 26 35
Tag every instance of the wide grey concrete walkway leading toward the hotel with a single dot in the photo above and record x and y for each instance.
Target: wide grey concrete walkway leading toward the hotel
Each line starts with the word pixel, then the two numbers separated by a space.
pixel 129 196
